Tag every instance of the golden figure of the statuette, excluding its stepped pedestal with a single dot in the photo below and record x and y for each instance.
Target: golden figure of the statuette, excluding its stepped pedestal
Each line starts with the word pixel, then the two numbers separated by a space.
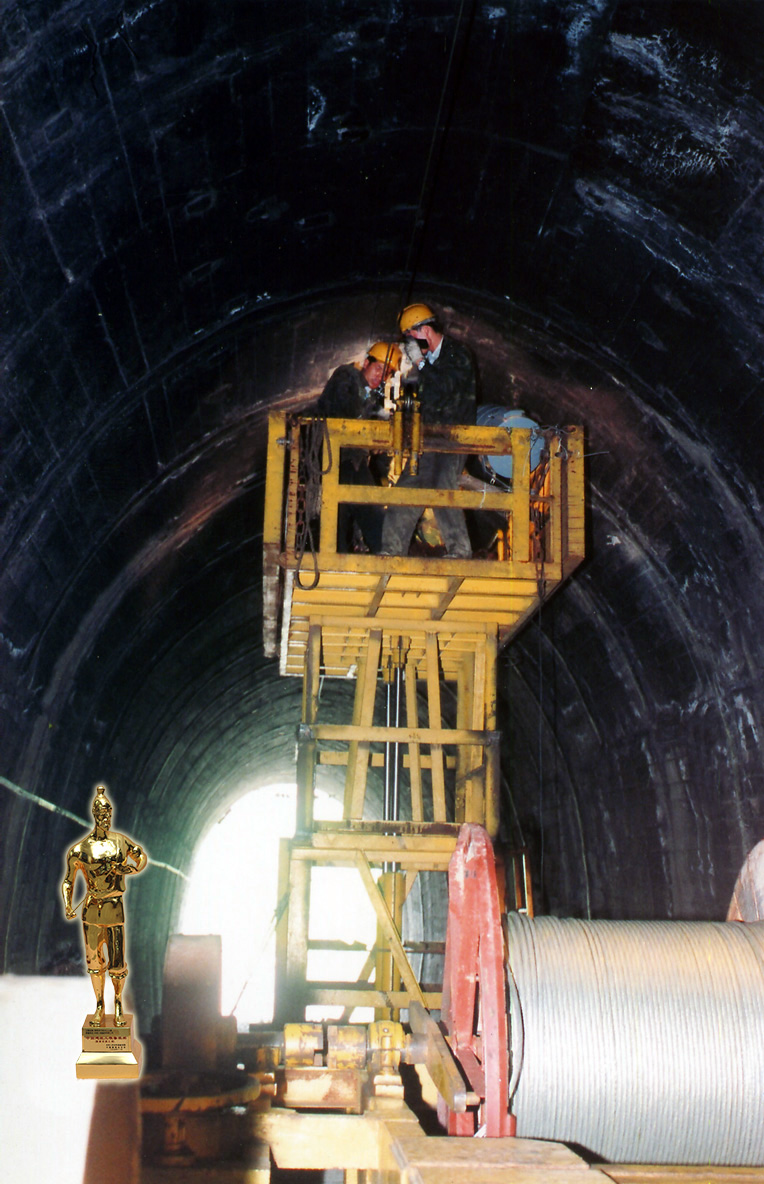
pixel 105 859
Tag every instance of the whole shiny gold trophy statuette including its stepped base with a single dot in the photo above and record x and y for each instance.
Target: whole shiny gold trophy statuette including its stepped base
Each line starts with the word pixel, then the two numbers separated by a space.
pixel 105 859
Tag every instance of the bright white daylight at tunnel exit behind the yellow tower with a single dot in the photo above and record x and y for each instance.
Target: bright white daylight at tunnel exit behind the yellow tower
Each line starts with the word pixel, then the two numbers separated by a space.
pixel 233 891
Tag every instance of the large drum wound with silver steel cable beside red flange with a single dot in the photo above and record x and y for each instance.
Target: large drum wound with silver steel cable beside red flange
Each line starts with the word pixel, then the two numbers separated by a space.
pixel 639 1041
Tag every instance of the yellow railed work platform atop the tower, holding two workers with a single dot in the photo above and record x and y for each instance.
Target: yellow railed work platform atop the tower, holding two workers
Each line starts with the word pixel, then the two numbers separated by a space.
pixel 538 542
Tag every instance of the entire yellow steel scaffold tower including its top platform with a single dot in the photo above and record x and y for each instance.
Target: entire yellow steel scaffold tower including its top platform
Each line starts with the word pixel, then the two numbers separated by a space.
pixel 336 615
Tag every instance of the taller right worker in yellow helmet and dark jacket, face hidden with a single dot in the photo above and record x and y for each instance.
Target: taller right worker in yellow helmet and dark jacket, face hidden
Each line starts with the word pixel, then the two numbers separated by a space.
pixel 446 379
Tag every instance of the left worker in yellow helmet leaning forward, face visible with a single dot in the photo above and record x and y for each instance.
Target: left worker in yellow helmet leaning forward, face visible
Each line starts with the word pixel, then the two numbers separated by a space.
pixel 357 392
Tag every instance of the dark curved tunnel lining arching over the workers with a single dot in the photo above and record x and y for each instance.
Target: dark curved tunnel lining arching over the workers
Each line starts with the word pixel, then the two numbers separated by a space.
pixel 210 207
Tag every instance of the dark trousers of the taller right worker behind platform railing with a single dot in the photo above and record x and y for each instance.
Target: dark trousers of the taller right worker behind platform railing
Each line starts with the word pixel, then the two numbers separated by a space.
pixel 438 471
